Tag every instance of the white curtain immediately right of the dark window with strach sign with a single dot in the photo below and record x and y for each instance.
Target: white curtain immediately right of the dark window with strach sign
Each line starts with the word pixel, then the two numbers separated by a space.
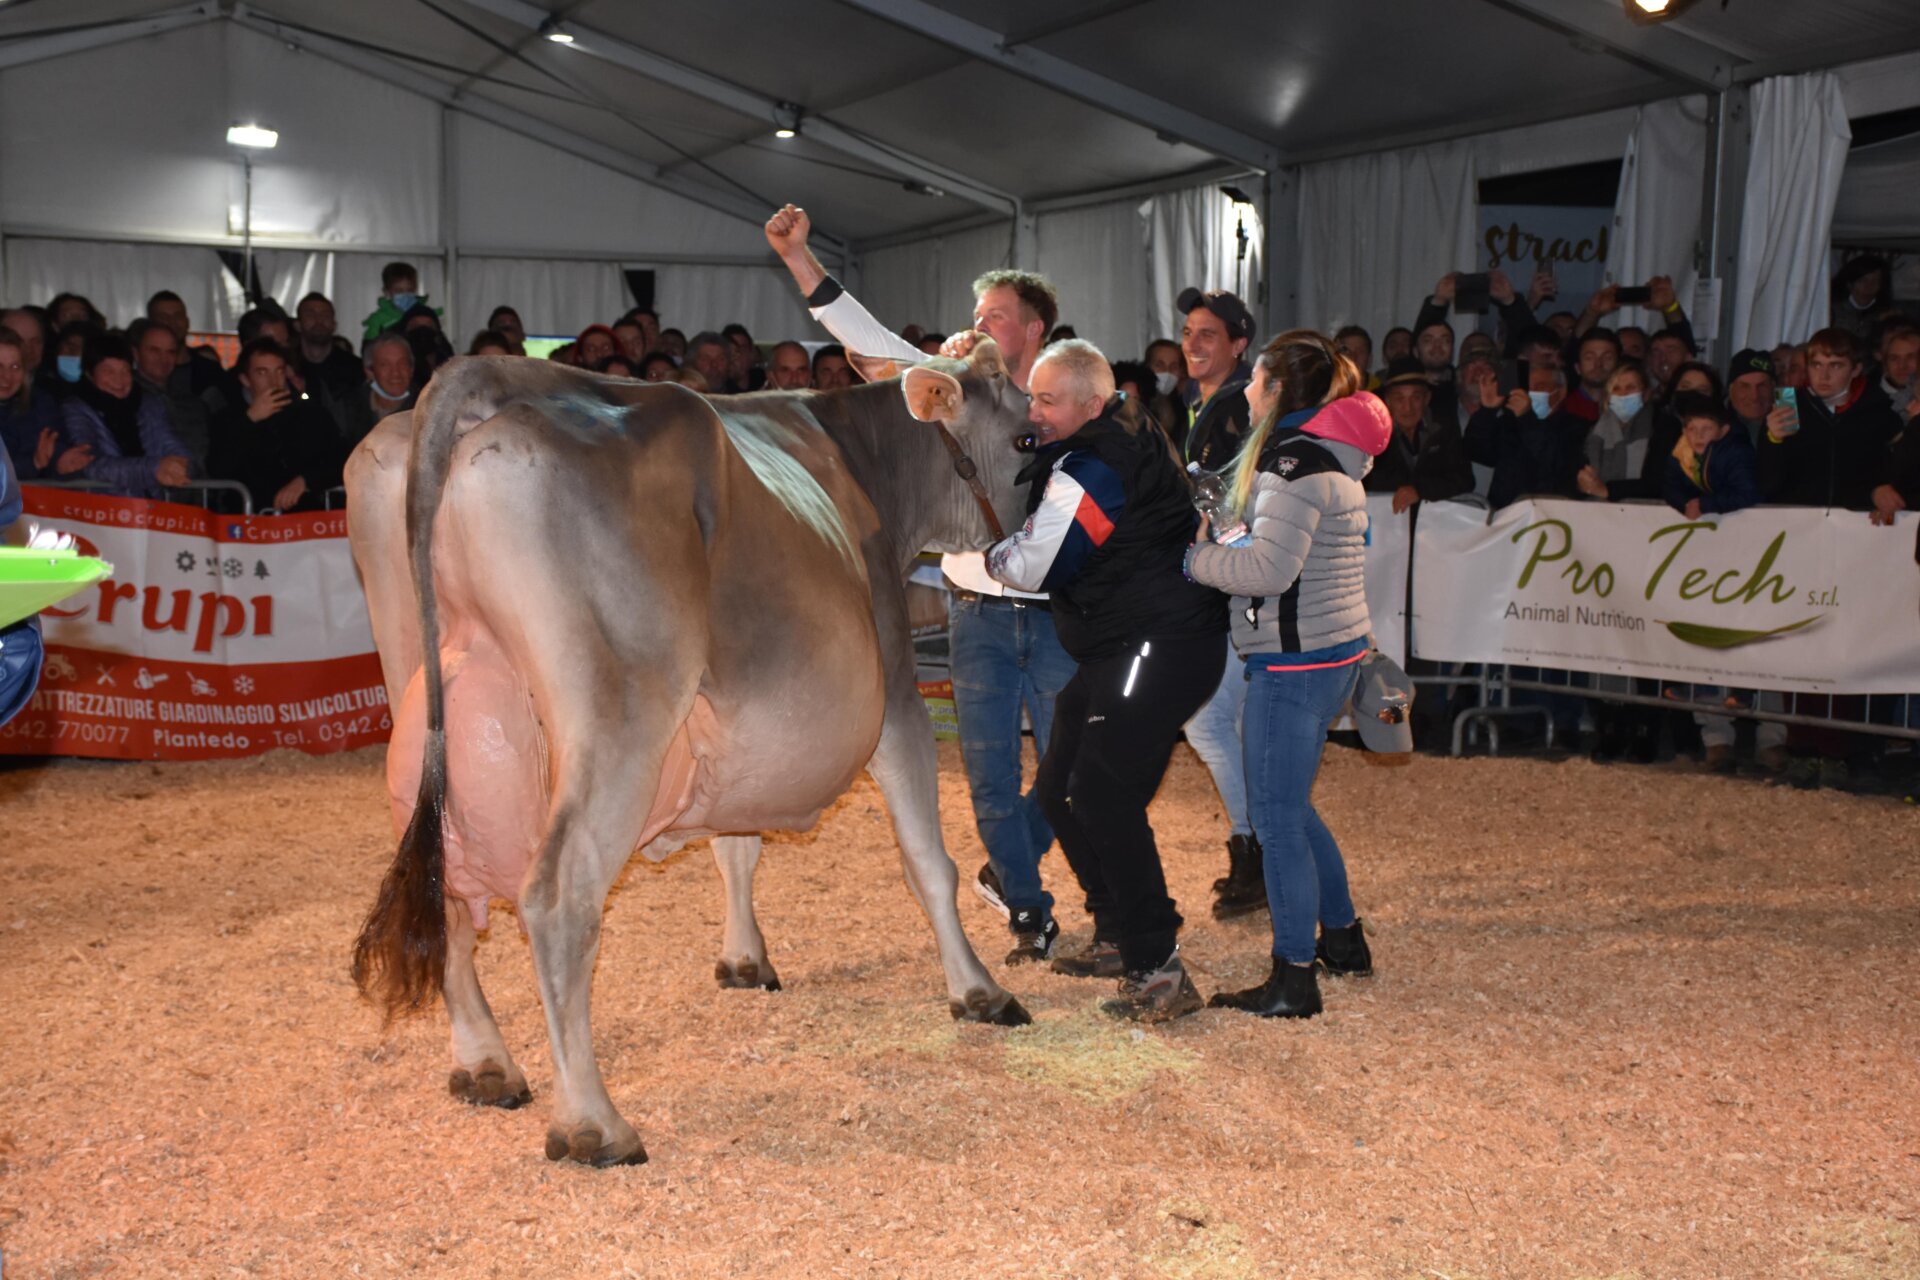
pixel 1656 218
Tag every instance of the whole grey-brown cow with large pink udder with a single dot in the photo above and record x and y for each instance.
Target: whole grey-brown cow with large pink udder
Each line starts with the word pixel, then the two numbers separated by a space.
pixel 619 615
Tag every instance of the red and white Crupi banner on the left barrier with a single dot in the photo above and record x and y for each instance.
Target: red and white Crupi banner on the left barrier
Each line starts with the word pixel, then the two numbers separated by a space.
pixel 216 636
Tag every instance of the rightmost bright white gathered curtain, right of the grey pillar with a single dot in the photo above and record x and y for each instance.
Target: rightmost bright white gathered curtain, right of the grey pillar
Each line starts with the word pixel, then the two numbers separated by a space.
pixel 1800 151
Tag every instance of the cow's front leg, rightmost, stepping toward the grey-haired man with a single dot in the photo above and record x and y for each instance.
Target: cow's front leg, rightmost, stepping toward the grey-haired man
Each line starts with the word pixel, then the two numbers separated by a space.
pixel 907 769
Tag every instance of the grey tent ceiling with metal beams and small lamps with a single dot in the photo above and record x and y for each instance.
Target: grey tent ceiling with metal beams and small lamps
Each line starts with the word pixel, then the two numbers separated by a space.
pixel 999 101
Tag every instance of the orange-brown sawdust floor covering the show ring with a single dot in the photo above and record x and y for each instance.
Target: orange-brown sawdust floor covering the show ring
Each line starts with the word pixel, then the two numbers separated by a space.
pixel 1627 1024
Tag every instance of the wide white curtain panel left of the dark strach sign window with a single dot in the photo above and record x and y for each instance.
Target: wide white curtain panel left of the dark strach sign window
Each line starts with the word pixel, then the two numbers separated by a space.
pixel 1380 231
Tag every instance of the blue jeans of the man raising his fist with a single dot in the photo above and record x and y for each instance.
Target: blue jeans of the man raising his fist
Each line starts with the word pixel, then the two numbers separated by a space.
pixel 1007 659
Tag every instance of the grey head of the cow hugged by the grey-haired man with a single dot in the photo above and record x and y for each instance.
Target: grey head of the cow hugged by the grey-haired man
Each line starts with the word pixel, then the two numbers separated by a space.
pixel 980 406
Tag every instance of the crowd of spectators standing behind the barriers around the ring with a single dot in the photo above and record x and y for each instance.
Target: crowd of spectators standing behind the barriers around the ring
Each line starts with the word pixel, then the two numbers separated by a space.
pixel 1556 406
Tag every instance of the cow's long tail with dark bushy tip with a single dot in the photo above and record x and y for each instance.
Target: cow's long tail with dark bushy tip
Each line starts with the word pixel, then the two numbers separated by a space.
pixel 400 959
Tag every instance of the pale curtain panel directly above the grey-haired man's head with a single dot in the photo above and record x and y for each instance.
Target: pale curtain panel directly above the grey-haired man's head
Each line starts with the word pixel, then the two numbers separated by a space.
pixel 1097 260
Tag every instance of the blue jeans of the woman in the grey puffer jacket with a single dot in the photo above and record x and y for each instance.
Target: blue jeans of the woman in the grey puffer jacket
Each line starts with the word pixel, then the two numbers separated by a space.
pixel 1287 721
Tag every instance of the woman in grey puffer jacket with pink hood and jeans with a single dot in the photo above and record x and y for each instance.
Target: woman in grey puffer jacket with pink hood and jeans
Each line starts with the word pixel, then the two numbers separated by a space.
pixel 1301 625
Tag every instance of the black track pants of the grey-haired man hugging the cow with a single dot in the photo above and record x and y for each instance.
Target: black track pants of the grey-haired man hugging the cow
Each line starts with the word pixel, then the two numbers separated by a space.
pixel 1115 730
